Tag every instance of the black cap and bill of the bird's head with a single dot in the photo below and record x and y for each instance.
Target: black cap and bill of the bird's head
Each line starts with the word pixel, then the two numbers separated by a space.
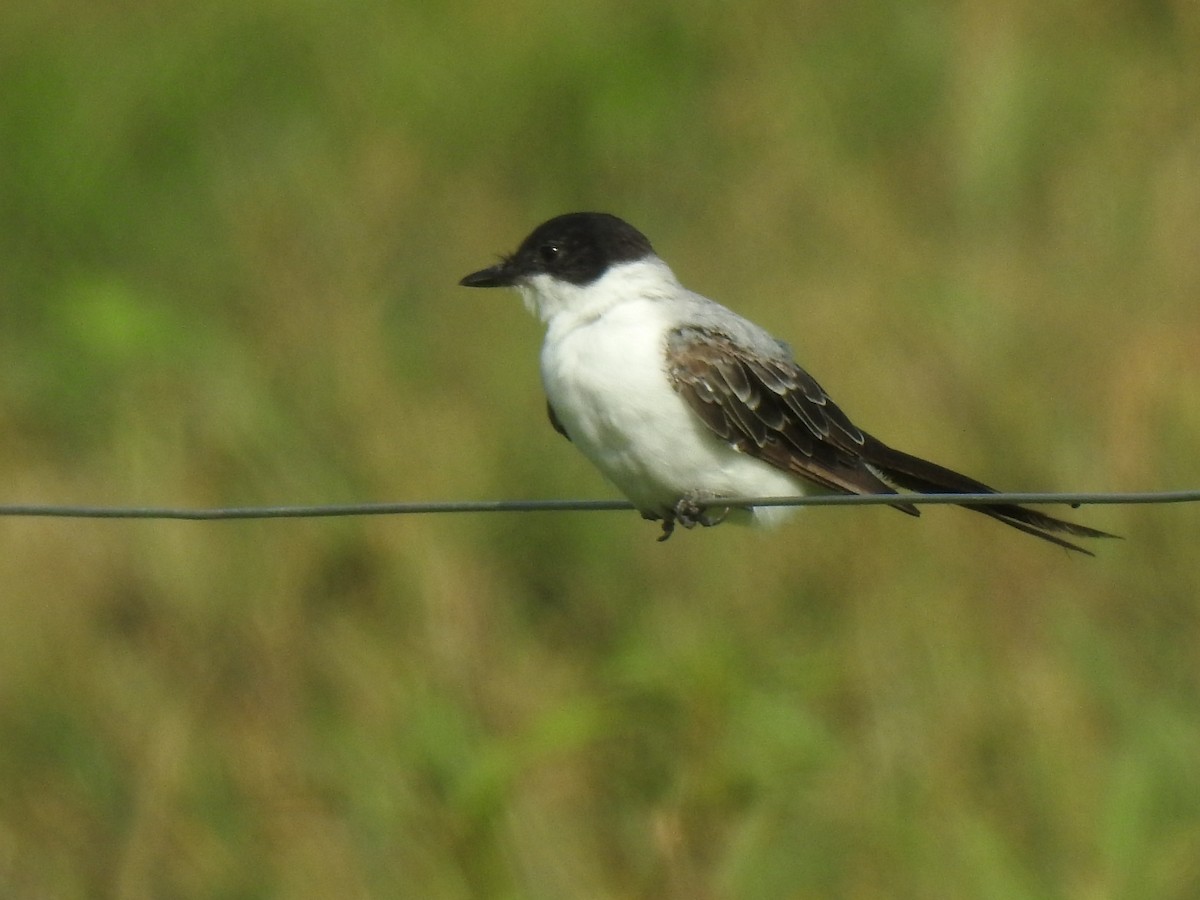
pixel 577 248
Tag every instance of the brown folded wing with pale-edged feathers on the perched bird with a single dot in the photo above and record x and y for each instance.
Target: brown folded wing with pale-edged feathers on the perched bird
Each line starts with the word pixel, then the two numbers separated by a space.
pixel 772 410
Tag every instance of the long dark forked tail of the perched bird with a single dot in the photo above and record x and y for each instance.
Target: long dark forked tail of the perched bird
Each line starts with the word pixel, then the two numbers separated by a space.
pixel 925 477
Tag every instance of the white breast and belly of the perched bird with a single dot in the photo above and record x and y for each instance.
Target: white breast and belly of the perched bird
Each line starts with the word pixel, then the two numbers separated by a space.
pixel 609 387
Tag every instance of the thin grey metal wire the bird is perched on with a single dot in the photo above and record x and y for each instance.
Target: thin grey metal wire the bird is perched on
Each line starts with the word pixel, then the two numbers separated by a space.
pixel 436 507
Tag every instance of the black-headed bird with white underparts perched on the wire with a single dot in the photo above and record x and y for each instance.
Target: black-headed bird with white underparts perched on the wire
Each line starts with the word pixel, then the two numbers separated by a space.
pixel 680 401
